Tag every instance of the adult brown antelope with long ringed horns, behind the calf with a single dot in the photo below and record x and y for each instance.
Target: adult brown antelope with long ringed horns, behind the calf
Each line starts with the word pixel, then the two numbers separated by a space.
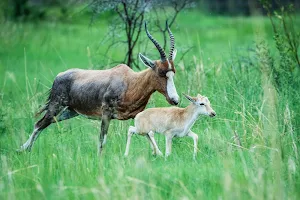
pixel 116 93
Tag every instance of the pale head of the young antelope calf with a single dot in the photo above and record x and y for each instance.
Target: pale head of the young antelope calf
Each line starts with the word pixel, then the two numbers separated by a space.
pixel 202 105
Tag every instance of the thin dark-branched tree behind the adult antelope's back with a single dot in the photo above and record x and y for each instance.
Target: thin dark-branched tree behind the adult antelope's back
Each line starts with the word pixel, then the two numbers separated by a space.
pixel 130 17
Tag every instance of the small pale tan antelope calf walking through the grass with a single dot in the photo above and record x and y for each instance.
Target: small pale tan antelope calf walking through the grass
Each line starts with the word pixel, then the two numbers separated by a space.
pixel 171 121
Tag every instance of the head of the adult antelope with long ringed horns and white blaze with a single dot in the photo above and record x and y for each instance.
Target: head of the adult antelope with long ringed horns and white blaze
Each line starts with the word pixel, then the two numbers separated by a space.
pixel 163 68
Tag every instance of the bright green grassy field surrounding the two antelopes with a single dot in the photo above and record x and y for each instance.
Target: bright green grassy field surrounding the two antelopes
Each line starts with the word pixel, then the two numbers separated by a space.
pixel 222 65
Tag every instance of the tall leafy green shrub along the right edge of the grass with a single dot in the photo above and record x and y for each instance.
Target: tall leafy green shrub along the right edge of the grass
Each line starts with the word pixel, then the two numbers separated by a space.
pixel 285 72
